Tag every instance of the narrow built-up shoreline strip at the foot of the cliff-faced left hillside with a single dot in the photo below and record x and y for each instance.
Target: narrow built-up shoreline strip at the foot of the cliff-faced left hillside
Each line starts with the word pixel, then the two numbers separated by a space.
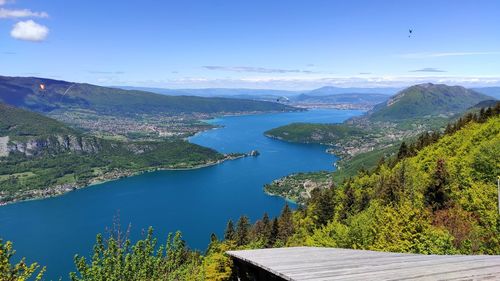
pixel 60 190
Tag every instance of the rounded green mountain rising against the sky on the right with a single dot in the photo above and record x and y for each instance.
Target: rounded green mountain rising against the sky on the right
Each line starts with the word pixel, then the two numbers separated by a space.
pixel 427 100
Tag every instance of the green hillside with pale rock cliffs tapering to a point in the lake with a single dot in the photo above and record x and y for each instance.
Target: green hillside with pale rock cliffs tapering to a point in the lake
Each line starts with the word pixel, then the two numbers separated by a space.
pixel 40 156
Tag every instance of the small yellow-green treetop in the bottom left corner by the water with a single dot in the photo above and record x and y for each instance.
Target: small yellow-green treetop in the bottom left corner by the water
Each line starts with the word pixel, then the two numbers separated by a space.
pixel 19 271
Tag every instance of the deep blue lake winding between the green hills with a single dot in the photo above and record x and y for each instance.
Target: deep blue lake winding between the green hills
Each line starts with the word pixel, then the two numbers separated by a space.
pixel 197 202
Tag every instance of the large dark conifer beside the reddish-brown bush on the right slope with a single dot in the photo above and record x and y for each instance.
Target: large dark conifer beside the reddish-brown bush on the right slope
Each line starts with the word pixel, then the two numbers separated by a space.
pixel 436 195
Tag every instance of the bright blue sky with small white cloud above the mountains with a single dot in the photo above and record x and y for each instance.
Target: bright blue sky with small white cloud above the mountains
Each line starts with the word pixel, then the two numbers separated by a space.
pixel 280 44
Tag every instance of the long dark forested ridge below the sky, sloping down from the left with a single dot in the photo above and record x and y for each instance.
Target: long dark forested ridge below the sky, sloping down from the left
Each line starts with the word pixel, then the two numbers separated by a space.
pixel 46 95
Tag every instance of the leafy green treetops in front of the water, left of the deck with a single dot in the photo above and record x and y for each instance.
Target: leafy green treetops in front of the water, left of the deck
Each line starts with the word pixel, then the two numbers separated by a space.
pixel 142 261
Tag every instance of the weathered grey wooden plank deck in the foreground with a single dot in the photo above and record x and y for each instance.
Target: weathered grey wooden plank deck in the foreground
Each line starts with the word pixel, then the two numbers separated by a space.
pixel 310 263
